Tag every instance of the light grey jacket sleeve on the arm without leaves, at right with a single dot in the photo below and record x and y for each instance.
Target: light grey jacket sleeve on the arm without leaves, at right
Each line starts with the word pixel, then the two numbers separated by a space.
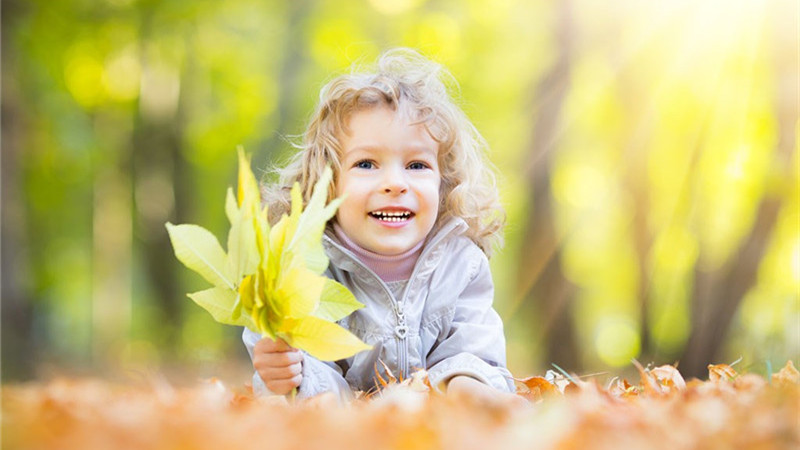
pixel 473 344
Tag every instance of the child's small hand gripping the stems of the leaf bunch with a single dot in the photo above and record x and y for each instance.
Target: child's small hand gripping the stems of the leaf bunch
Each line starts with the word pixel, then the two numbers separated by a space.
pixel 279 365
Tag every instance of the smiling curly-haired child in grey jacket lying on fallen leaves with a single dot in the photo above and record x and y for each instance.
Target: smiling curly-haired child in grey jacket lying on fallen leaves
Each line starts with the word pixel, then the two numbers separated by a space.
pixel 411 239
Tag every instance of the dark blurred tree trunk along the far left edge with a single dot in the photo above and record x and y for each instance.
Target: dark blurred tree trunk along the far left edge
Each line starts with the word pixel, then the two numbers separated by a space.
pixel 18 340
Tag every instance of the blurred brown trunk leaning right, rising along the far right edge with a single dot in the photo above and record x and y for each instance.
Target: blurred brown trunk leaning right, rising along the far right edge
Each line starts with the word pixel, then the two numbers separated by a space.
pixel 717 295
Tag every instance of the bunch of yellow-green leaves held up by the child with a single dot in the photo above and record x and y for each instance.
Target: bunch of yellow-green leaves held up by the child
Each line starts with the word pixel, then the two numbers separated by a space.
pixel 271 281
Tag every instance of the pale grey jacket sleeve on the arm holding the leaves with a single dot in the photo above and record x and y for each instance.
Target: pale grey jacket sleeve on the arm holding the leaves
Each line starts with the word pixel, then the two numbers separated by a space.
pixel 318 376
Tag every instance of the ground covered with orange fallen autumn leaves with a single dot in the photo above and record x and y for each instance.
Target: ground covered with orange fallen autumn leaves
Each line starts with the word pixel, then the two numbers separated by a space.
pixel 660 410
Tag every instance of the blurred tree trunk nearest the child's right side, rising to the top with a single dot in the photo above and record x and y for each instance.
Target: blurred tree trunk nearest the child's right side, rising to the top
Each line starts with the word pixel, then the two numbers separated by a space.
pixel 548 296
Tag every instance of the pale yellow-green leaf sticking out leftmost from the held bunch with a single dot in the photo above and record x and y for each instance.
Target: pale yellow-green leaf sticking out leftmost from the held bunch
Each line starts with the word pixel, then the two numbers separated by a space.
pixel 200 251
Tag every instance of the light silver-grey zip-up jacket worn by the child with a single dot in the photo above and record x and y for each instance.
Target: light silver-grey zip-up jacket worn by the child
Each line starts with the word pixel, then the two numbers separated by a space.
pixel 444 322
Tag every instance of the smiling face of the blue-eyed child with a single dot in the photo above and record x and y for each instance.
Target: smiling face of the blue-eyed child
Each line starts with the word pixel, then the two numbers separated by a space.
pixel 390 175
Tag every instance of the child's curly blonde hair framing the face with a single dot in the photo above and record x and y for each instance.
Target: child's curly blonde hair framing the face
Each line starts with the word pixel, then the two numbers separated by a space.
pixel 407 82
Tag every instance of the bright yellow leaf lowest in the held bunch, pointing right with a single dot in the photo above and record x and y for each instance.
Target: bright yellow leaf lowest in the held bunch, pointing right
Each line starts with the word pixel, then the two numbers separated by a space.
pixel 323 340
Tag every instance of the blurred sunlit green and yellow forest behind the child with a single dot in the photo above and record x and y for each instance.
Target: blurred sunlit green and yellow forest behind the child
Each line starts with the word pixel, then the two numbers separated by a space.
pixel 647 153
